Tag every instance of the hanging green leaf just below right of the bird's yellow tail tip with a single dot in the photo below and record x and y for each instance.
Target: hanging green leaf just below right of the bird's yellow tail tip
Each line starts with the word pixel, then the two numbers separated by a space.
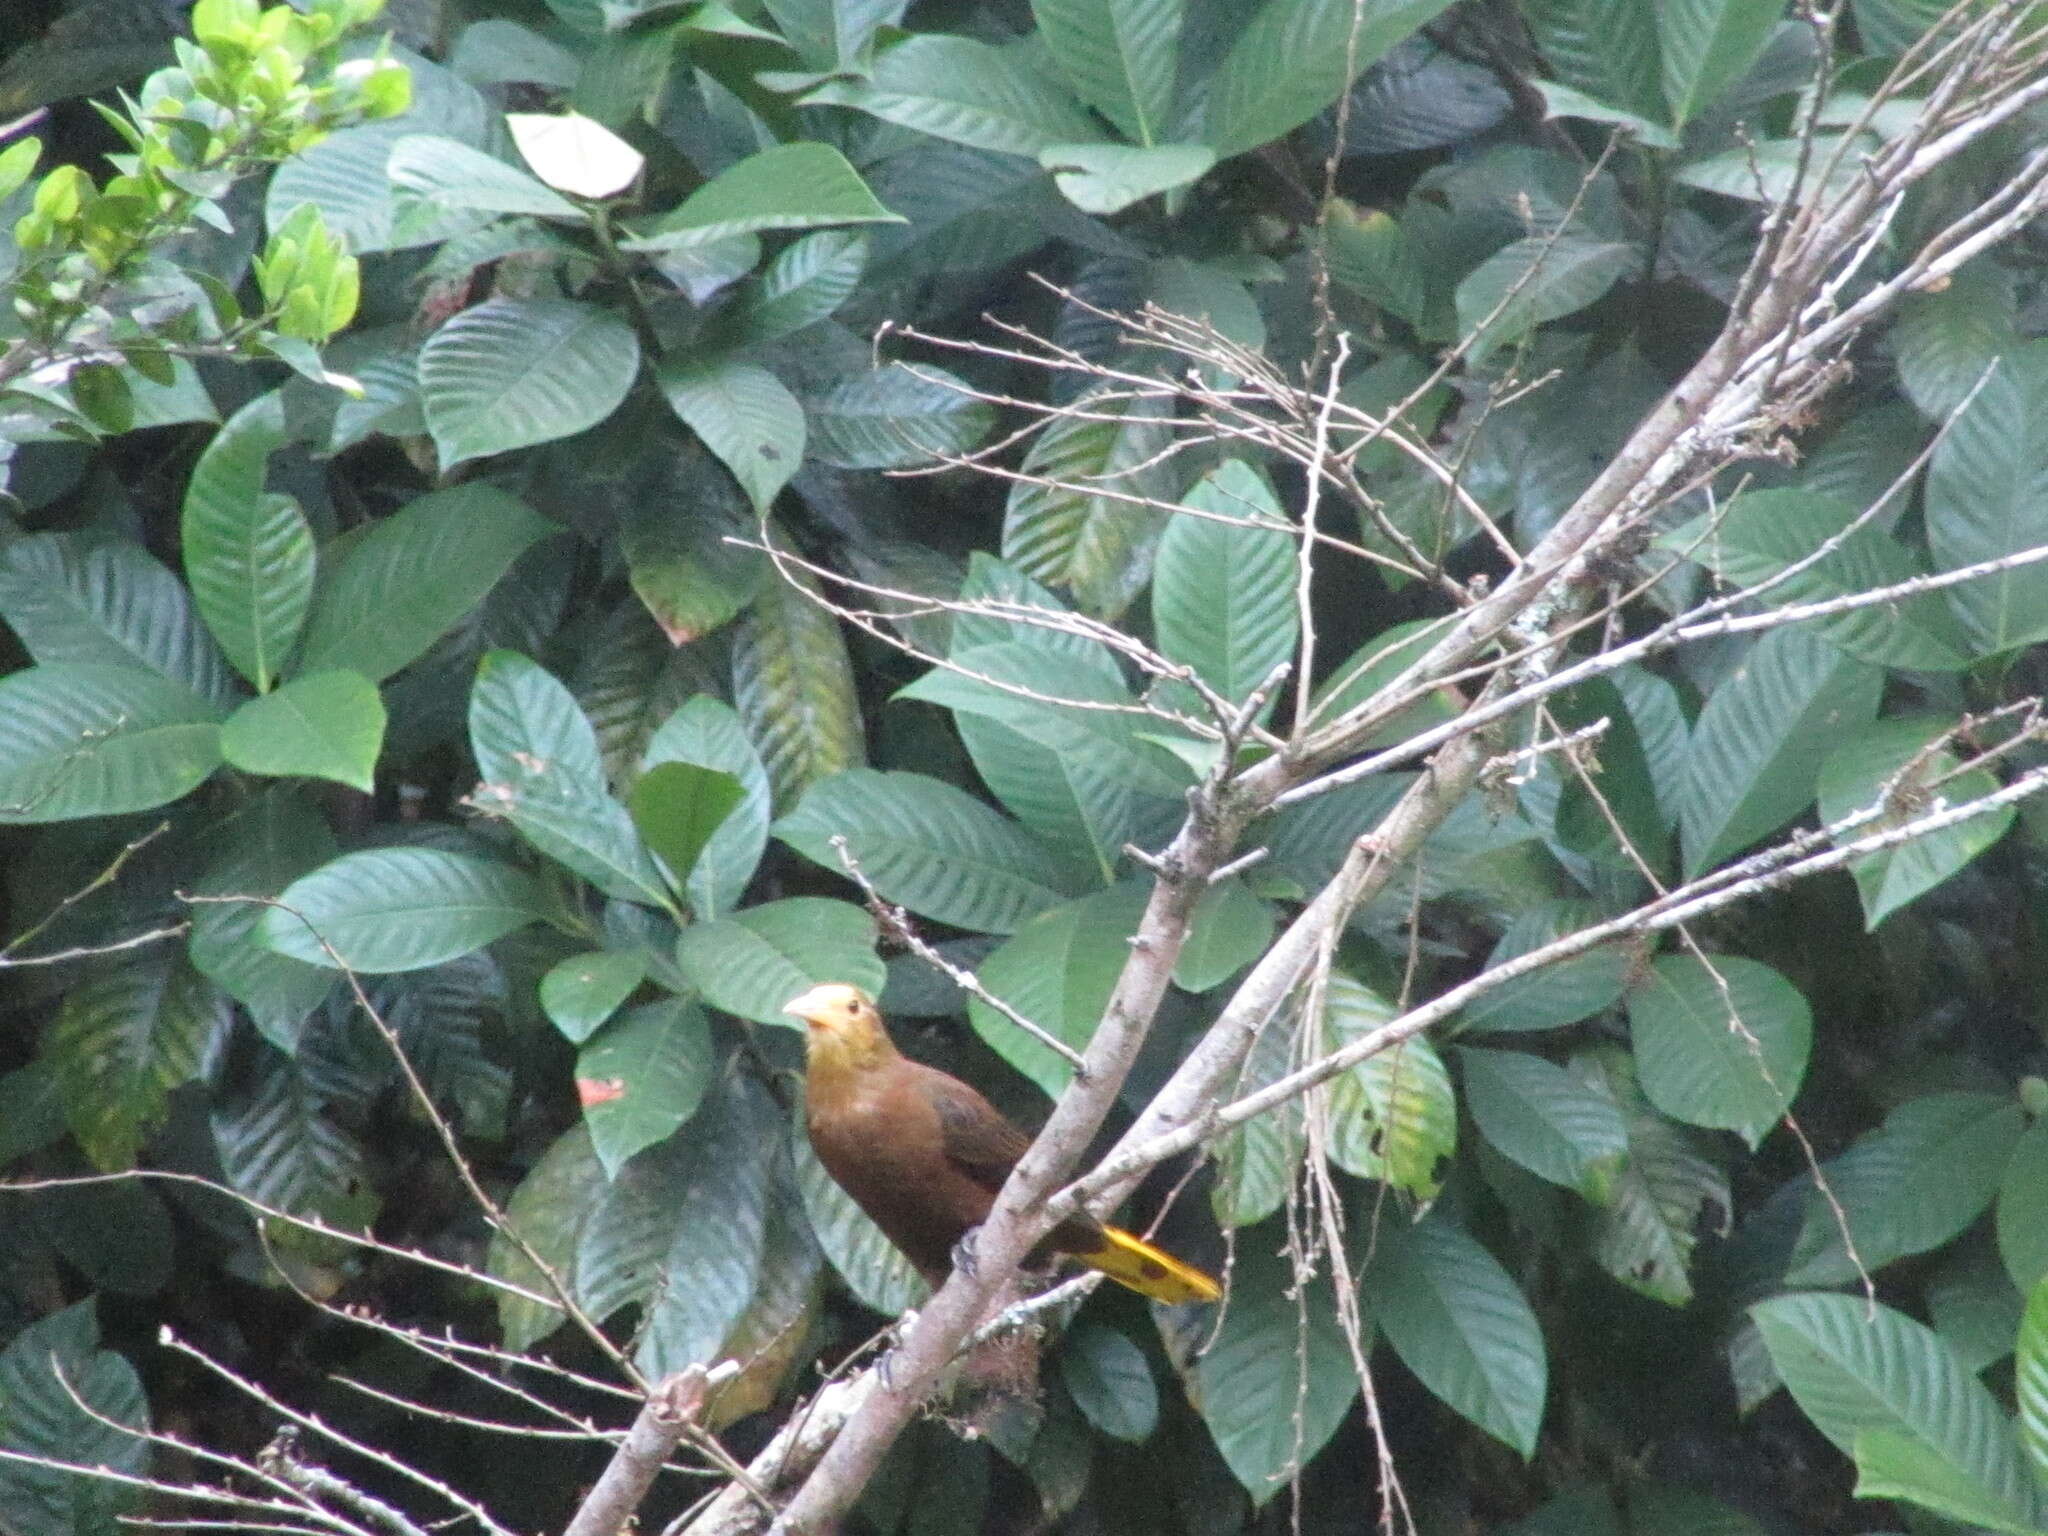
pixel 1277 1381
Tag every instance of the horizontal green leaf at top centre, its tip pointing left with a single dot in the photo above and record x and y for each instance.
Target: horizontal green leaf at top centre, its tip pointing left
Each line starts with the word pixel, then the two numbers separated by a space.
pixel 970 93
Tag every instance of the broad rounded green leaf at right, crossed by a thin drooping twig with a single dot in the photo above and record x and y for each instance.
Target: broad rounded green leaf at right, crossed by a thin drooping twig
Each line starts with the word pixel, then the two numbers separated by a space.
pixel 1721 1041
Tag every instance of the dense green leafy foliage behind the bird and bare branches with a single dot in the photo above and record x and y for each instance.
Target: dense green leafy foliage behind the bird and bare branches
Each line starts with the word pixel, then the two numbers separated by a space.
pixel 470 648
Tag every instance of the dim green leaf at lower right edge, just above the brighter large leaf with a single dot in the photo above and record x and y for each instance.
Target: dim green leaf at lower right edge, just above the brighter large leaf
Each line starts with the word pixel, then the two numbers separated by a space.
pixel 1908 1187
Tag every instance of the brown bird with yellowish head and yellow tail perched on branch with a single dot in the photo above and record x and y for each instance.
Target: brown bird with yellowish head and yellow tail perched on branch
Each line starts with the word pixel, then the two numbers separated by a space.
pixel 925 1156
